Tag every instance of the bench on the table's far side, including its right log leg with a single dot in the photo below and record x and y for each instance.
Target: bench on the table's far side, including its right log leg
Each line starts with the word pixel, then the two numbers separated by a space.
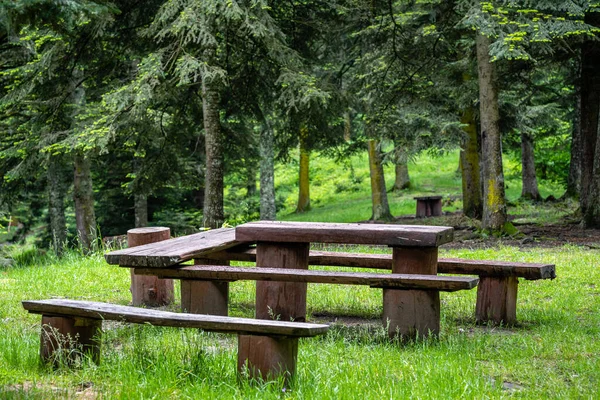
pixel 496 291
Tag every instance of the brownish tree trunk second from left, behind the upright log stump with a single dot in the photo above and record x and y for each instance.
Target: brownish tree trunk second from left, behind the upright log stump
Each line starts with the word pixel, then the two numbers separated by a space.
pixel 83 195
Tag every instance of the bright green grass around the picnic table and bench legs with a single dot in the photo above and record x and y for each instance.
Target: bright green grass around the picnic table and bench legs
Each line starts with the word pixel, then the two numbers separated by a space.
pixel 552 353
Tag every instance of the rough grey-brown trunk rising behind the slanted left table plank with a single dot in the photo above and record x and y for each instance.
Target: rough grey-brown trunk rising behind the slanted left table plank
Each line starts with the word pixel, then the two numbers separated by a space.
pixel 213 215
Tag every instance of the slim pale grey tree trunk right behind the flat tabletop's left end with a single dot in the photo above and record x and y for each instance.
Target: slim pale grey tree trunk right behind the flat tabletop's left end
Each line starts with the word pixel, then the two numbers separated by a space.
pixel 267 173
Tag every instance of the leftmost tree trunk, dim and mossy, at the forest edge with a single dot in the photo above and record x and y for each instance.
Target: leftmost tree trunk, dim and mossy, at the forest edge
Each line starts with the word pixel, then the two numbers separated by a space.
pixel 57 192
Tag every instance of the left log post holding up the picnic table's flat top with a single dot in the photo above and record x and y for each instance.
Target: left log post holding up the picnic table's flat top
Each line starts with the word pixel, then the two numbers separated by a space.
pixel 285 301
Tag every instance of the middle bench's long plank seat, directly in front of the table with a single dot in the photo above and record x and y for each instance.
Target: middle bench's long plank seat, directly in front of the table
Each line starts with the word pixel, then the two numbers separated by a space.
pixel 398 281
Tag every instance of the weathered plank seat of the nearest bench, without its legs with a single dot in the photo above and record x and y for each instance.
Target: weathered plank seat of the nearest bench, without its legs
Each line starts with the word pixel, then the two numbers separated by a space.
pixel 95 310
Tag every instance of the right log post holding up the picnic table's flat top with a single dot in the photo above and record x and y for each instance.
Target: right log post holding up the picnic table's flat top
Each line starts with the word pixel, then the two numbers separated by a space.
pixel 412 313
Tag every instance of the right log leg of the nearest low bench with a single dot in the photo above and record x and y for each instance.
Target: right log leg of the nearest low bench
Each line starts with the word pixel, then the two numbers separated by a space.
pixel 267 357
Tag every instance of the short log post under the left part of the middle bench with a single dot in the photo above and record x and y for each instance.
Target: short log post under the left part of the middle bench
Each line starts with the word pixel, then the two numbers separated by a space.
pixel 205 297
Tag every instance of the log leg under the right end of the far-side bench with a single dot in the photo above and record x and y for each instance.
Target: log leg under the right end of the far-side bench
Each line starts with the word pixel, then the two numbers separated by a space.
pixel 497 300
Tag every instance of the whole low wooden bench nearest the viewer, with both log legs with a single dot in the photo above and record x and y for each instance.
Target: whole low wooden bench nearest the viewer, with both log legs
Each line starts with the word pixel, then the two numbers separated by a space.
pixel 267 348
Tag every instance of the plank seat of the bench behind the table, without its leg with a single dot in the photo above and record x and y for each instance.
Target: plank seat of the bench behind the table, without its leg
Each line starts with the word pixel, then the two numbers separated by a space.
pixel 530 271
